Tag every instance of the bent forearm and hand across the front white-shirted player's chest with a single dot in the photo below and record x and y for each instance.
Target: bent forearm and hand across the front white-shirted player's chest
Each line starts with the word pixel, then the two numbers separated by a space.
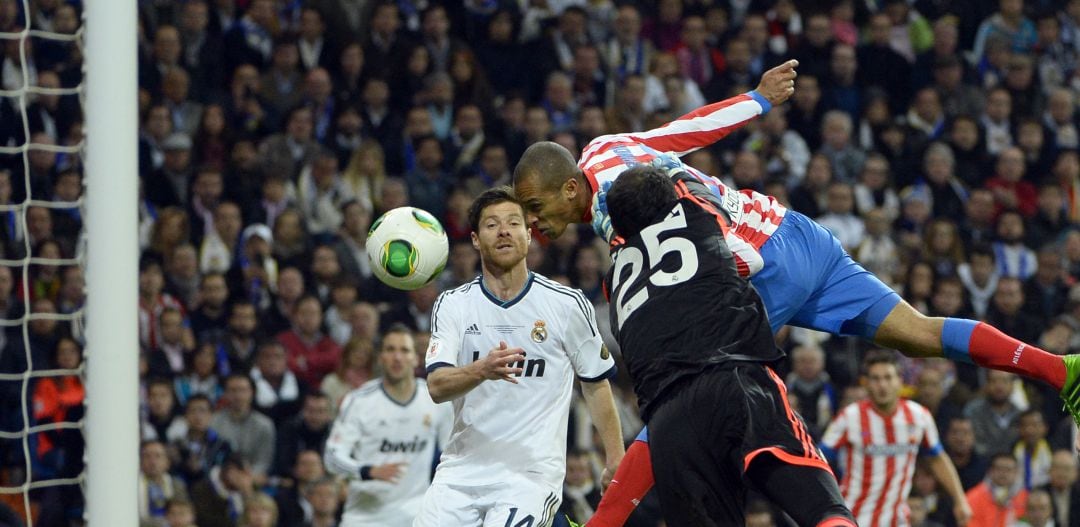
pixel 448 384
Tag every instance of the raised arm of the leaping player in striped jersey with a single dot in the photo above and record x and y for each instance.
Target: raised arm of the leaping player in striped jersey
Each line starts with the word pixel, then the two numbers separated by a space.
pixel 713 123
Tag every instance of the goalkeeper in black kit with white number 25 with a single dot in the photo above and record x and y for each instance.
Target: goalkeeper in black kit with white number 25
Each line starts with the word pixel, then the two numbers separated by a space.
pixel 719 414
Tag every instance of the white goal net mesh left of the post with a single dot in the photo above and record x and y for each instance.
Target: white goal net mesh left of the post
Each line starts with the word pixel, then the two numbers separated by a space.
pixel 42 467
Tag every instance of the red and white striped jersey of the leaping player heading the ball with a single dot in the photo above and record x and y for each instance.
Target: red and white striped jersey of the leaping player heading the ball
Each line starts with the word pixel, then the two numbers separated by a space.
pixel 754 217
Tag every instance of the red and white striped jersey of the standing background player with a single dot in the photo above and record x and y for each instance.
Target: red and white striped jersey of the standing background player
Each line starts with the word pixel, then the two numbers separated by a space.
pixel 877 456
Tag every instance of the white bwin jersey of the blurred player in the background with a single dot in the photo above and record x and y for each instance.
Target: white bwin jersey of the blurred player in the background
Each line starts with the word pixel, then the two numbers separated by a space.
pixel 374 429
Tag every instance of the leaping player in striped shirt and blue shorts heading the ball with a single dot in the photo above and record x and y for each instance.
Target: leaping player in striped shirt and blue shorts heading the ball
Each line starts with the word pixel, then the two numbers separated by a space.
pixel 800 269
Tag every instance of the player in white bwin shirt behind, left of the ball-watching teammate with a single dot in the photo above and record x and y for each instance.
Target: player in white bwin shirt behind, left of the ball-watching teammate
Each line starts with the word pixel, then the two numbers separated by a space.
pixel 385 439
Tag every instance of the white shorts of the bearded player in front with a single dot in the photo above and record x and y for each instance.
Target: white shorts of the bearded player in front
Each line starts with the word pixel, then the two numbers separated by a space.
pixel 522 504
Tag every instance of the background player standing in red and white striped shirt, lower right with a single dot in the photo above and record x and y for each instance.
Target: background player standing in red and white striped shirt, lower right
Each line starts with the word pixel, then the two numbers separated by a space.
pixel 877 442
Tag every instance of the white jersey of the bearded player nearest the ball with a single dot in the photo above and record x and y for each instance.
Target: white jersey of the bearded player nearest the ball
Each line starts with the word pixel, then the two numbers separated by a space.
pixel 504 430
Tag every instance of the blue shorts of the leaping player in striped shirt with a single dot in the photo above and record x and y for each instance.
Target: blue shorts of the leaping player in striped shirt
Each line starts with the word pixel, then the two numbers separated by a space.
pixel 809 281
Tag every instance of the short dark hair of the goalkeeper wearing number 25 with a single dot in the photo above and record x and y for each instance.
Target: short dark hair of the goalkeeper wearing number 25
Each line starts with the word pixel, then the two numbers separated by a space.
pixel 640 197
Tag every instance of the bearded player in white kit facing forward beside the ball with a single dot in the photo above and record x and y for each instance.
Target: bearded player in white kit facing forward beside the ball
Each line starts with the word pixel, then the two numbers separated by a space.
pixel 505 349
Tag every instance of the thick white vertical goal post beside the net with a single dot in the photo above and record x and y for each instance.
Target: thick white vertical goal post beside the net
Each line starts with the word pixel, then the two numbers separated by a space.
pixel 112 166
